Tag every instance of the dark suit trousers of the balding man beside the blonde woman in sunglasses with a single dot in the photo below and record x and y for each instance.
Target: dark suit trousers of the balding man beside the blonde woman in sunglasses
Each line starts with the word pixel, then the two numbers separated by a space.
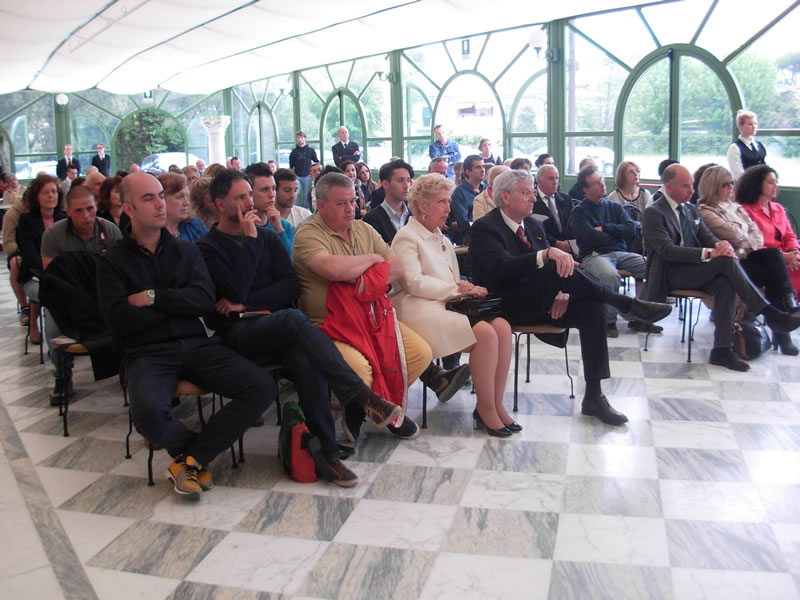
pixel 724 278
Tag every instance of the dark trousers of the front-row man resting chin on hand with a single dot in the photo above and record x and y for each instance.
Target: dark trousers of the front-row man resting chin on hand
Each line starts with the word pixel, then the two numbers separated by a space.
pixel 307 357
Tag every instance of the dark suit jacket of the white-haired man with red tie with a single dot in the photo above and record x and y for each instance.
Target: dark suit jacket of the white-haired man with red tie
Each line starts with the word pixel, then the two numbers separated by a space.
pixel 503 264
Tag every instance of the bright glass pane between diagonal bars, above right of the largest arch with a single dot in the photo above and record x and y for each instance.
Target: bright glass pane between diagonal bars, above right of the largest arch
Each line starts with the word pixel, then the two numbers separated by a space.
pixel 733 22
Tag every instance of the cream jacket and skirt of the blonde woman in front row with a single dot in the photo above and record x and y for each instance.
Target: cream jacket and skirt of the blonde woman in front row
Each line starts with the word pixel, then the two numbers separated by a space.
pixel 430 274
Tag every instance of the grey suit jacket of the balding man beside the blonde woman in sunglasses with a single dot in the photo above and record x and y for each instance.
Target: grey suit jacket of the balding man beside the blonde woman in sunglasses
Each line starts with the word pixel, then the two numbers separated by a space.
pixel 662 239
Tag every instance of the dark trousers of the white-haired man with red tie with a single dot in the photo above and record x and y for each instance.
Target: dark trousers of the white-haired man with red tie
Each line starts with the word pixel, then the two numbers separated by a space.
pixel 585 312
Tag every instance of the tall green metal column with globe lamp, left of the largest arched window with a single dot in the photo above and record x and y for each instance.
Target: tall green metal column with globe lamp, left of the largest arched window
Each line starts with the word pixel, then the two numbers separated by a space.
pixel 556 85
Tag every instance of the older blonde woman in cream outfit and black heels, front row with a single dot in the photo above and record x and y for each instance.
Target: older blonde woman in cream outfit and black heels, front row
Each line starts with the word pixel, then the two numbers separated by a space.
pixel 430 278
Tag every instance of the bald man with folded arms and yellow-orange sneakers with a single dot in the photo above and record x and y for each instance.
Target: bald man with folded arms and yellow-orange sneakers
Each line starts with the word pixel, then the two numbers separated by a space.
pixel 152 289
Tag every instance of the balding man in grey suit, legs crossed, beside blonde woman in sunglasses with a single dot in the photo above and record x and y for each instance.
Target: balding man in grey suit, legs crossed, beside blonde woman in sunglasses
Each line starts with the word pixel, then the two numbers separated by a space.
pixel 683 253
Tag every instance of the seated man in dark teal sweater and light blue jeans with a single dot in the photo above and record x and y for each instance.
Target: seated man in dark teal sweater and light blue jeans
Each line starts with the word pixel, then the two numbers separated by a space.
pixel 604 230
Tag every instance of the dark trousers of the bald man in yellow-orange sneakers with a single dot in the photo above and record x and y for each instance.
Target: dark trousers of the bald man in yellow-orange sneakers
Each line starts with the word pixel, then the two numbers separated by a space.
pixel 153 373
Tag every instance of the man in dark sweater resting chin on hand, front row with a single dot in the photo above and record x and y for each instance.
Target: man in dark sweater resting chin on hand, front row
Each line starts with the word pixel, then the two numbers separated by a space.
pixel 251 271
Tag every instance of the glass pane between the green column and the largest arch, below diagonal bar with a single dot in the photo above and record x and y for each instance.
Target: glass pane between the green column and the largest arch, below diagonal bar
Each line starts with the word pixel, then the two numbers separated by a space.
pixel 594 82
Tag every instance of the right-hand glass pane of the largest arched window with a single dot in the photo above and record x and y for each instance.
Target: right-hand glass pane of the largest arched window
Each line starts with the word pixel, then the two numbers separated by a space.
pixel 705 115
